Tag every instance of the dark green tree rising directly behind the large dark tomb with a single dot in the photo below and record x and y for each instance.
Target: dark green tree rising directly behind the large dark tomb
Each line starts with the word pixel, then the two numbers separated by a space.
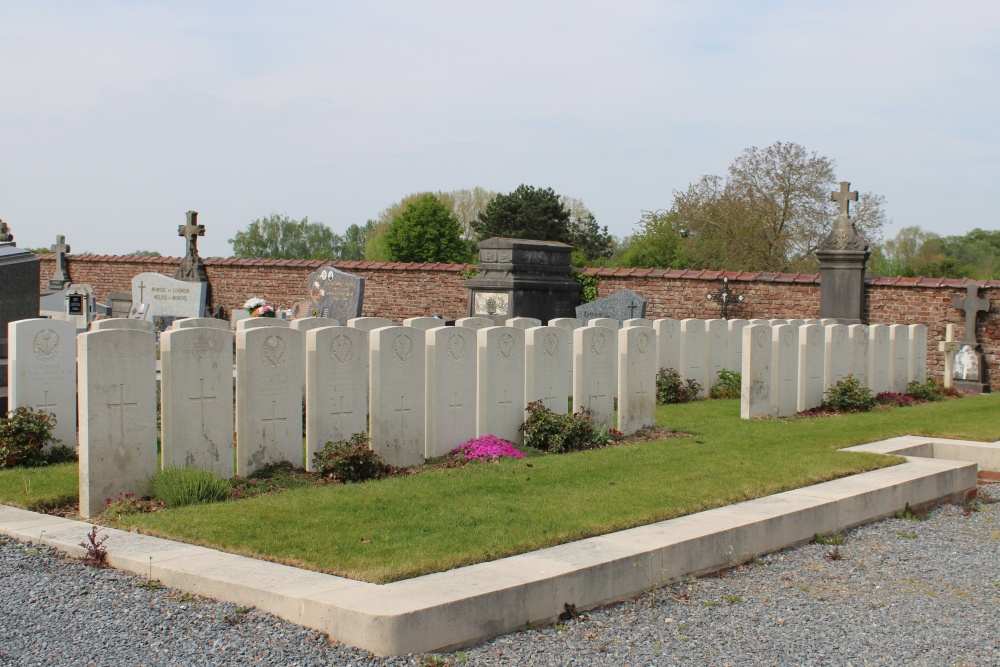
pixel 526 213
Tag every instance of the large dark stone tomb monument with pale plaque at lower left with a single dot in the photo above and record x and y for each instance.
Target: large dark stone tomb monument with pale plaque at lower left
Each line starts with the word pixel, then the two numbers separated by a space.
pixel 523 278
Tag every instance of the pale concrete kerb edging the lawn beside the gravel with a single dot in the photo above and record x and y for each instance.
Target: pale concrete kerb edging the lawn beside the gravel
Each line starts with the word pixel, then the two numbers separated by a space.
pixel 466 605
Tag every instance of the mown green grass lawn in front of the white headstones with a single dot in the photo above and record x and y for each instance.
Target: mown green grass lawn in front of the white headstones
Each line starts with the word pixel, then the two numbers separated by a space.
pixel 403 527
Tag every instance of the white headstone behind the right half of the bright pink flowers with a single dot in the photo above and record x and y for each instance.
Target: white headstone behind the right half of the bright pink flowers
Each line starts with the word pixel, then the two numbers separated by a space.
pixel 500 378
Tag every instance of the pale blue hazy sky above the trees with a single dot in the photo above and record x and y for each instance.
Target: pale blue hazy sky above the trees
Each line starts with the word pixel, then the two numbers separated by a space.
pixel 117 117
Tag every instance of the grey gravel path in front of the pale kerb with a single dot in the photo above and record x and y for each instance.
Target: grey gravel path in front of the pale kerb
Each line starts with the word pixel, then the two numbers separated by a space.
pixel 902 592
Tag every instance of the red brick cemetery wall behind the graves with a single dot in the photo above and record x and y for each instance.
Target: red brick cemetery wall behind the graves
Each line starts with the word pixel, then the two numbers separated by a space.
pixel 397 291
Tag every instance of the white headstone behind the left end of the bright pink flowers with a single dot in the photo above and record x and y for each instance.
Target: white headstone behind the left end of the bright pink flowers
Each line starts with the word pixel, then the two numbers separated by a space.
pixel 451 389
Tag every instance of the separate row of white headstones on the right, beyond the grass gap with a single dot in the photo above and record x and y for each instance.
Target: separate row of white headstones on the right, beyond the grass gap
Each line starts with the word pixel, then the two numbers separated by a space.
pixel 788 368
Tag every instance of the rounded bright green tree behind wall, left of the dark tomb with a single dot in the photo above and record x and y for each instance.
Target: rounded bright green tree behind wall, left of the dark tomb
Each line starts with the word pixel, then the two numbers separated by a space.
pixel 426 231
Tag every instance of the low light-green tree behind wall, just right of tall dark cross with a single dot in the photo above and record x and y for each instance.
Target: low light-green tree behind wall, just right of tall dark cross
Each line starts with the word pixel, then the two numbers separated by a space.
pixel 280 237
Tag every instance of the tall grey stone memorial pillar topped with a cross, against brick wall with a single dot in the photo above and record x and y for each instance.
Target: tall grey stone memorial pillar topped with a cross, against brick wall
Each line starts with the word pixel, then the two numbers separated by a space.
pixel 842 256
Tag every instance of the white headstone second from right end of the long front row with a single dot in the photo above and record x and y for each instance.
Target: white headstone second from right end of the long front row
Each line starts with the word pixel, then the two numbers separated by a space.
pixel 594 380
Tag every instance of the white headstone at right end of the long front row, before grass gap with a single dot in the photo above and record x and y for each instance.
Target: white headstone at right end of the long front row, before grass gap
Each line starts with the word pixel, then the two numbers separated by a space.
pixel 636 378
